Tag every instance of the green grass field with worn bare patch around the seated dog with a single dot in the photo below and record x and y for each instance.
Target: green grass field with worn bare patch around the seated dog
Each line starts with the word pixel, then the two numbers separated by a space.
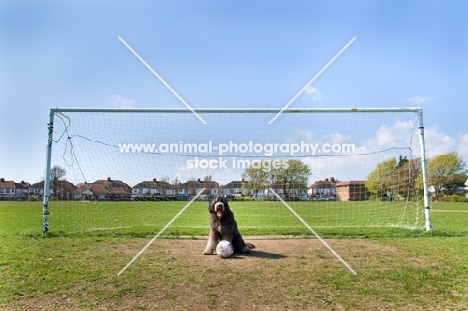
pixel 76 266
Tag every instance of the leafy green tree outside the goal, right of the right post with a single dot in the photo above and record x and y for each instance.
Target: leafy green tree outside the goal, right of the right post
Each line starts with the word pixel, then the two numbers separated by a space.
pixel 444 171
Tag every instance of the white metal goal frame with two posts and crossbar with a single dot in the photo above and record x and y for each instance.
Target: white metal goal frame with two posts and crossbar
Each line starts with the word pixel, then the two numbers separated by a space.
pixel 50 126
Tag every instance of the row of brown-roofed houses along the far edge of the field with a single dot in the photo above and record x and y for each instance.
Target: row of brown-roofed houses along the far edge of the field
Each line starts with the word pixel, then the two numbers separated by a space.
pixel 109 189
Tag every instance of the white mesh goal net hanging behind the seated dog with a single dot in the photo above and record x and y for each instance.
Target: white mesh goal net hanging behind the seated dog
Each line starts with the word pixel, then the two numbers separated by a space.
pixel 131 171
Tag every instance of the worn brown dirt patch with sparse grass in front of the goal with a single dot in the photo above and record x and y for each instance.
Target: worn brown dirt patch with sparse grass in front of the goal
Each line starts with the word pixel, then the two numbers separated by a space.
pixel 279 274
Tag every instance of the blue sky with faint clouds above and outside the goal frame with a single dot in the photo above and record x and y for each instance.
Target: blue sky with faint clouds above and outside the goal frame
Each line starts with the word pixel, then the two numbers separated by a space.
pixel 228 54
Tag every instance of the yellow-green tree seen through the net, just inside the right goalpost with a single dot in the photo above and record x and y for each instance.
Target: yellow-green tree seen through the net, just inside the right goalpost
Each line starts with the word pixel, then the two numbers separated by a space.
pixel 379 180
